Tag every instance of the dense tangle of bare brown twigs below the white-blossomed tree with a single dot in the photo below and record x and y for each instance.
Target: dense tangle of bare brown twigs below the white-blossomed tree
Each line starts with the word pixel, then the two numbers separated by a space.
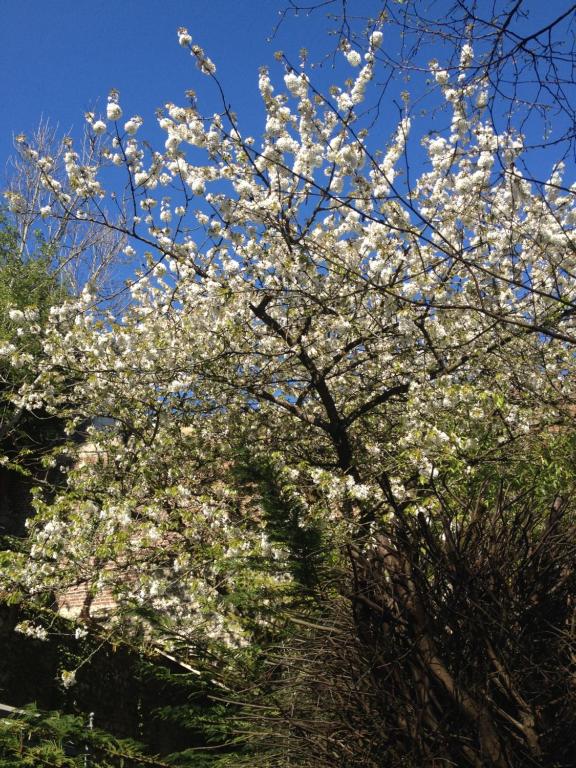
pixel 459 650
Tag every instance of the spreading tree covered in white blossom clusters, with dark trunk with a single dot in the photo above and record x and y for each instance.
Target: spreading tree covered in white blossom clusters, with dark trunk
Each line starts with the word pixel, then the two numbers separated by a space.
pixel 380 342
